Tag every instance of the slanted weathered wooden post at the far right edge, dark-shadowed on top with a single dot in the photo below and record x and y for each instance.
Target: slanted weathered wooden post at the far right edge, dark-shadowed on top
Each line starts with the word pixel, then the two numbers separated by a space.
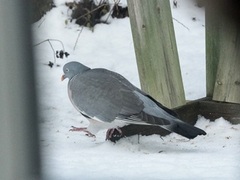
pixel 227 86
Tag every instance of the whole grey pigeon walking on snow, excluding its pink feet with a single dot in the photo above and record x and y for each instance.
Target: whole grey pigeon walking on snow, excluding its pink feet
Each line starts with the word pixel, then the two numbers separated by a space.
pixel 107 97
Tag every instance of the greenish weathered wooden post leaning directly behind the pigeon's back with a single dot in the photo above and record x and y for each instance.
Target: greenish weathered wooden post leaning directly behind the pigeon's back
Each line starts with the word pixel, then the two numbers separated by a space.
pixel 156 52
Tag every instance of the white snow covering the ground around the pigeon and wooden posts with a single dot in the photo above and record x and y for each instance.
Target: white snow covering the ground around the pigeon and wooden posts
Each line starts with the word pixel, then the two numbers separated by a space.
pixel 72 155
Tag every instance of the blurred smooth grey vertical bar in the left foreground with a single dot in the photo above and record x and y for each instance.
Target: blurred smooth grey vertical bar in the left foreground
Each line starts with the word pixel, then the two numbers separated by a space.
pixel 19 146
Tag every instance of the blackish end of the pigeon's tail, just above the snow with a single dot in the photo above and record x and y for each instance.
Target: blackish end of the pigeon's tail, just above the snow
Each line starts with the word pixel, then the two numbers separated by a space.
pixel 185 129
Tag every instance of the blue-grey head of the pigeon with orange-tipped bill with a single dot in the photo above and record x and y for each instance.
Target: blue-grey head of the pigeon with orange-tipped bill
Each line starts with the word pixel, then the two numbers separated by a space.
pixel 73 68
